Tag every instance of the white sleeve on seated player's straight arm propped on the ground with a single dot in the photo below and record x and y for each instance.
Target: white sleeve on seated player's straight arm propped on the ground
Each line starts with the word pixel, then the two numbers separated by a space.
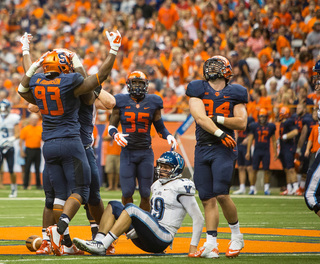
pixel 191 206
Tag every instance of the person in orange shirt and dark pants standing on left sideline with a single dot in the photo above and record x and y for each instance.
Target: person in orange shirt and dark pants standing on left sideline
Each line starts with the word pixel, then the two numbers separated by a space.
pixel 31 136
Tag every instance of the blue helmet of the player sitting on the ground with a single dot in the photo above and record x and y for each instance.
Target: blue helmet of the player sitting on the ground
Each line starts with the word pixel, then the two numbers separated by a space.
pixel 175 161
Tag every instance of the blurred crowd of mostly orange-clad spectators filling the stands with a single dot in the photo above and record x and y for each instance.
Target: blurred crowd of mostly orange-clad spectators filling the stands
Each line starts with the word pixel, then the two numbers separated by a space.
pixel 272 45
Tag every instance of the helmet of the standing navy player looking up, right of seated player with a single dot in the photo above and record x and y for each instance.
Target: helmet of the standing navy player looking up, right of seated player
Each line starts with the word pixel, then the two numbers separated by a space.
pixel 217 67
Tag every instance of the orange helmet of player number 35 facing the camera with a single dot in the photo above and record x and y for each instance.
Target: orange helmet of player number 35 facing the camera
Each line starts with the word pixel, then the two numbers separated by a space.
pixel 137 84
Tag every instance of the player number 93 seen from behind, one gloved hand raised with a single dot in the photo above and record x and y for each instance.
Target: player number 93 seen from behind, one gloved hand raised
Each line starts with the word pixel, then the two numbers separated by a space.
pixel 57 92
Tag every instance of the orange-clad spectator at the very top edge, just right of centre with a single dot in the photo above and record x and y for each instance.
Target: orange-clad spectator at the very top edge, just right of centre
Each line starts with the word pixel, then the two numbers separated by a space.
pixel 168 14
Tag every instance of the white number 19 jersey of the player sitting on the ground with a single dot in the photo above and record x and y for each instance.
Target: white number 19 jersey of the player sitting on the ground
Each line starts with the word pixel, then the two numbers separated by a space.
pixel 165 205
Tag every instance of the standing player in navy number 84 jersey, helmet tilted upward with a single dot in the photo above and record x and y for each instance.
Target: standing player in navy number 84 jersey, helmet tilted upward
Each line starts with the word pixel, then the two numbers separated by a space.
pixel 218 109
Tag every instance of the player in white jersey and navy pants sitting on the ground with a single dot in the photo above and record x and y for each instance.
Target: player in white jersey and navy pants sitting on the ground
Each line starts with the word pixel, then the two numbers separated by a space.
pixel 172 198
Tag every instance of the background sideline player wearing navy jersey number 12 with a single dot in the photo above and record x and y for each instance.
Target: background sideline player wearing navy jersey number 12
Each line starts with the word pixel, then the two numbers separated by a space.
pixel 261 131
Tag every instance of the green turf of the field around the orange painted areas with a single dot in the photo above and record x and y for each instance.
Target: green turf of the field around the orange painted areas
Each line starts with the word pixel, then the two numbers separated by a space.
pixel 254 211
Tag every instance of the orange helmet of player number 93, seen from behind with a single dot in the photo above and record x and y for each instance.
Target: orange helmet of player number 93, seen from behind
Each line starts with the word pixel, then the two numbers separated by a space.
pixel 57 62
